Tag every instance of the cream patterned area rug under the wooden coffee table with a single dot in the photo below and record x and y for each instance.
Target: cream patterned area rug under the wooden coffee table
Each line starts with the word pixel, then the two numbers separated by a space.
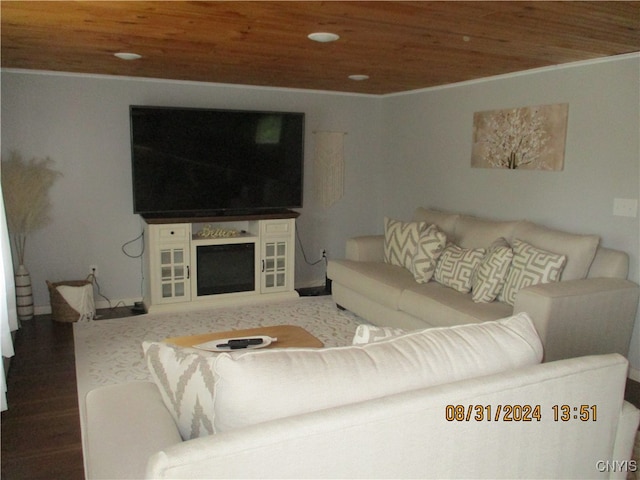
pixel 110 351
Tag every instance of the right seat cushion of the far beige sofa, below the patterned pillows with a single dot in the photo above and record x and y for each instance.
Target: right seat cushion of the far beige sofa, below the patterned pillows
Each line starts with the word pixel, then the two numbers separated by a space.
pixel 441 306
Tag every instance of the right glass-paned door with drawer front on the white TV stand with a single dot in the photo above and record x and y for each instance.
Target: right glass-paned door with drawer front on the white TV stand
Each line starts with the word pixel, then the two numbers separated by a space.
pixel 277 256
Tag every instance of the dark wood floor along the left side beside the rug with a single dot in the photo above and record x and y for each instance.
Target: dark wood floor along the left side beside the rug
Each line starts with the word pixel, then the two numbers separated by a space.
pixel 41 429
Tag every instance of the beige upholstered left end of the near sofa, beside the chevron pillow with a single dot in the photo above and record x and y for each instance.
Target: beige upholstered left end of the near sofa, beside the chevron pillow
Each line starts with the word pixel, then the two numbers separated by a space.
pixel 126 424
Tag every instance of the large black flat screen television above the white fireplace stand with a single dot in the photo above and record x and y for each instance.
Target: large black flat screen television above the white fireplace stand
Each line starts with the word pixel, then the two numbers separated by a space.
pixel 191 162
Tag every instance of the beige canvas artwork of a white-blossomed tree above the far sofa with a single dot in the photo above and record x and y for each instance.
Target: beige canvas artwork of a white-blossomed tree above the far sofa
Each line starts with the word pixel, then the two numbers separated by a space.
pixel 527 138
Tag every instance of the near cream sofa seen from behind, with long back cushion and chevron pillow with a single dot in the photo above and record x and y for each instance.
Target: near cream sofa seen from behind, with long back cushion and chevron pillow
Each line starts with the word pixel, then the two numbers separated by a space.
pixel 457 402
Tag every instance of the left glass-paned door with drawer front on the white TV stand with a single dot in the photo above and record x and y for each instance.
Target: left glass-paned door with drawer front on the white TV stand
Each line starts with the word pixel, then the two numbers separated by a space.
pixel 172 272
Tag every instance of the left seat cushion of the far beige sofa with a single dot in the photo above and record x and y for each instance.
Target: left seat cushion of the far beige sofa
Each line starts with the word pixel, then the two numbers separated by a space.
pixel 376 280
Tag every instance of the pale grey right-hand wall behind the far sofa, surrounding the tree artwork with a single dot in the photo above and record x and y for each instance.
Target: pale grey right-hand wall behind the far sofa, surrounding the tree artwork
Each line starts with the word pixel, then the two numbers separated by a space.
pixel 429 137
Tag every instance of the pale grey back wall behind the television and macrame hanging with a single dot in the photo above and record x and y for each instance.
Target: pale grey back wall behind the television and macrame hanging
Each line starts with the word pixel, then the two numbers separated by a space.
pixel 82 123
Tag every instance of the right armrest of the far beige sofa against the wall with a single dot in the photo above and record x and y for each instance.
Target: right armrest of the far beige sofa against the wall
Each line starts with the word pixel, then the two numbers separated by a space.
pixel 581 317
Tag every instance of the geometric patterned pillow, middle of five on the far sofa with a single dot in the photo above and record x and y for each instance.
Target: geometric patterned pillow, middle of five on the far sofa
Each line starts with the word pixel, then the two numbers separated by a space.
pixel 457 266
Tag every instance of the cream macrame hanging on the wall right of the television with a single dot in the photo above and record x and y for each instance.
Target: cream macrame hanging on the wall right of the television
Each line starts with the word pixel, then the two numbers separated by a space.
pixel 328 167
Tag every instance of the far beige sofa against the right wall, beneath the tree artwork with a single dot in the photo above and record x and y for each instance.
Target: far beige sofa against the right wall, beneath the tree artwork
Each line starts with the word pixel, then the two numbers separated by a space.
pixel 590 310
